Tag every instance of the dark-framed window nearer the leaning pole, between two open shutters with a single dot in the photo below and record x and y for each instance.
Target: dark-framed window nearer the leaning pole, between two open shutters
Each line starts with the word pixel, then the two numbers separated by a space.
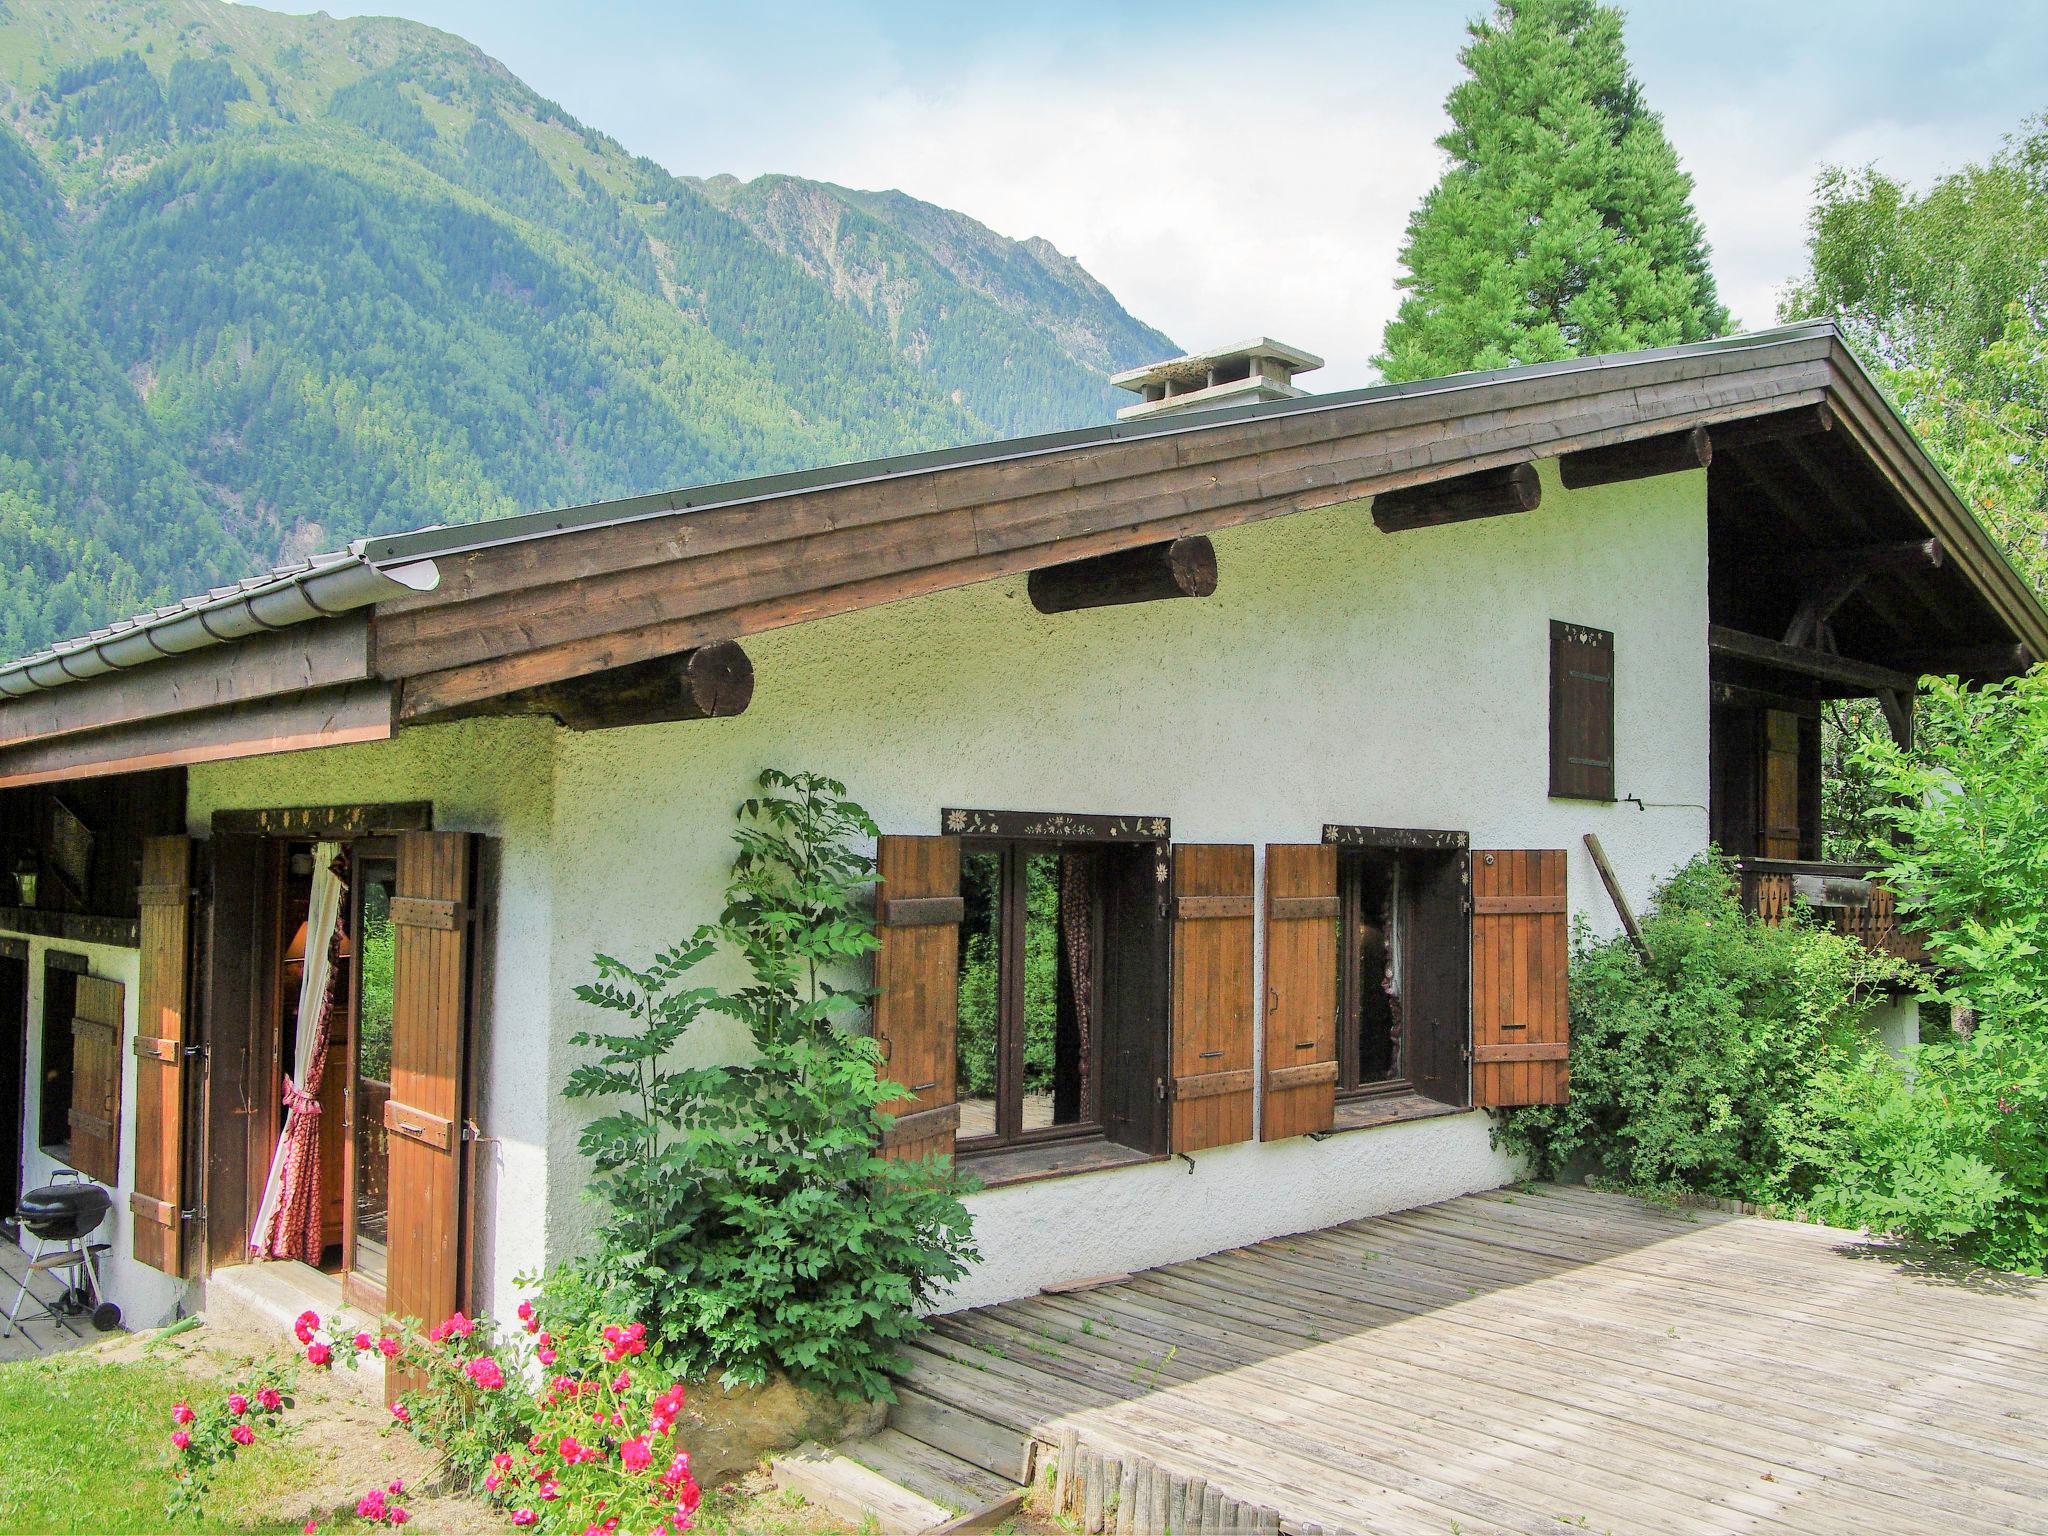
pixel 1402 964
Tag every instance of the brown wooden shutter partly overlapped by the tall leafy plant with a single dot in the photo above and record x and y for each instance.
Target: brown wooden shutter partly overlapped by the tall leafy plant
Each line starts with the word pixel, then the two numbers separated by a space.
pixel 919 990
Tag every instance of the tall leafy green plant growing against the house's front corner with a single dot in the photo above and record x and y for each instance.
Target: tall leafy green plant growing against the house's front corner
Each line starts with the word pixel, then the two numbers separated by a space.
pixel 749 1218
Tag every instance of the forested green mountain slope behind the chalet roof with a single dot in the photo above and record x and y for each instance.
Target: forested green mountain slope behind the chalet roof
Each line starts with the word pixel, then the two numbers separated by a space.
pixel 278 282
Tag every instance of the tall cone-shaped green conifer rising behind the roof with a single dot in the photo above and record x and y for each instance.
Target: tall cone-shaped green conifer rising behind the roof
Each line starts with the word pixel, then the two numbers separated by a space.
pixel 1564 224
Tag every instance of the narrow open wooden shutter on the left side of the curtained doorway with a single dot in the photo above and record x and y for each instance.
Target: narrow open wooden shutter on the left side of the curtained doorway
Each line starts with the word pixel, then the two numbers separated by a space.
pixel 161 1033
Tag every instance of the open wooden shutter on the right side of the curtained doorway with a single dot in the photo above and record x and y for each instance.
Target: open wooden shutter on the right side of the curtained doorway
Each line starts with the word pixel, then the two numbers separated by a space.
pixel 433 916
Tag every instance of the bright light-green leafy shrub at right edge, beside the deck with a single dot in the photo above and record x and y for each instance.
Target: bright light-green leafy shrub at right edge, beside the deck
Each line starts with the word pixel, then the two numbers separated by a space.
pixel 1953 1144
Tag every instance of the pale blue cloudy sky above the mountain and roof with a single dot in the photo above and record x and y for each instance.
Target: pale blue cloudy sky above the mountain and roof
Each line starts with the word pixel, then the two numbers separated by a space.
pixel 1236 169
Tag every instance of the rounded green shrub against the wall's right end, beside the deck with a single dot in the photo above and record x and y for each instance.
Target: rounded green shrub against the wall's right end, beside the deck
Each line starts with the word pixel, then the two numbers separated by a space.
pixel 1693 1070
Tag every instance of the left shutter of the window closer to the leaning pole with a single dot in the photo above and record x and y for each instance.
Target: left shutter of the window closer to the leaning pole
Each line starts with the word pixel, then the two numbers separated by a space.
pixel 1302 990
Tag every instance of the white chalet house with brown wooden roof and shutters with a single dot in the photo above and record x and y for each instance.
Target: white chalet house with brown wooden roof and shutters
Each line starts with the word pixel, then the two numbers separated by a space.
pixel 1273 724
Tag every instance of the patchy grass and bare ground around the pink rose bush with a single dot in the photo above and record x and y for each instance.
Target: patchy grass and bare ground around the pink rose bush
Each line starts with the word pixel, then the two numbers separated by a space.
pixel 85 1447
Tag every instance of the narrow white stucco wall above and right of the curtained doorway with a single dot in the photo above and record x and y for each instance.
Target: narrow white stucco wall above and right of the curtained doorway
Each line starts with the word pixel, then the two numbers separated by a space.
pixel 493 777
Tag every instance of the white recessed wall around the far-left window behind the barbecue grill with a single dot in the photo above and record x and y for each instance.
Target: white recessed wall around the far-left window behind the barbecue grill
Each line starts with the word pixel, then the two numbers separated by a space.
pixel 146 1297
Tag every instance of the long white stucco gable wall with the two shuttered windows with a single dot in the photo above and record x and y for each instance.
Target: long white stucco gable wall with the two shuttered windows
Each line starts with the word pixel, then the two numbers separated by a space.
pixel 1338 675
